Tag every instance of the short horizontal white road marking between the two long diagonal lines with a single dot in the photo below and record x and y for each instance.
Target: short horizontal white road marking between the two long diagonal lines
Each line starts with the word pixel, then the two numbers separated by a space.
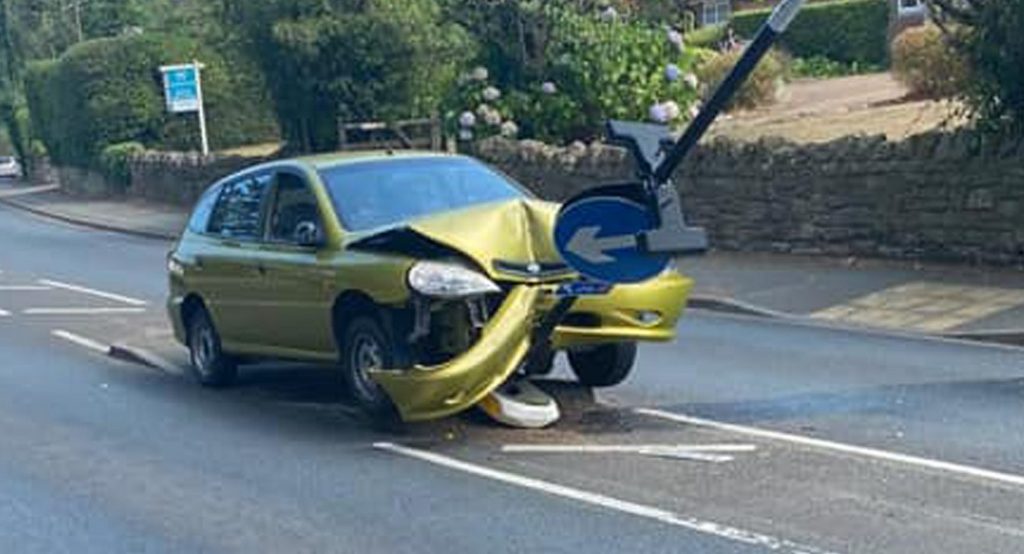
pixel 698 453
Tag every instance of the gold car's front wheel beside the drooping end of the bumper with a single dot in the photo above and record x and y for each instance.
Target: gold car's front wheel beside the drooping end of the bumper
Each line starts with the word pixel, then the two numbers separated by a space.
pixel 366 347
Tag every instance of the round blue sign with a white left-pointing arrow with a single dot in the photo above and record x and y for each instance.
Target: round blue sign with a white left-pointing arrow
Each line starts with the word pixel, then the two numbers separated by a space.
pixel 598 236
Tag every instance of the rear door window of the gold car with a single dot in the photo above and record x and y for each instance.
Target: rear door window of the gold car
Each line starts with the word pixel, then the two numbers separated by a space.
pixel 239 214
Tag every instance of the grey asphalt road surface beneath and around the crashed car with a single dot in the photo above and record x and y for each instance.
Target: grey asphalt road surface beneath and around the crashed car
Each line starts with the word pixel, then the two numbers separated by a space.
pixel 744 437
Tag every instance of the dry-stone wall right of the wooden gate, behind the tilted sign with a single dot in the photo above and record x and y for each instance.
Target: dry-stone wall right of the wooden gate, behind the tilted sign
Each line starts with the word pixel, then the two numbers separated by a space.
pixel 937 197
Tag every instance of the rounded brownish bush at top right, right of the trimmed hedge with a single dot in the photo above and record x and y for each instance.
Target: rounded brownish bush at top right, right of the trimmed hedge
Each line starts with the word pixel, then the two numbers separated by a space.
pixel 925 61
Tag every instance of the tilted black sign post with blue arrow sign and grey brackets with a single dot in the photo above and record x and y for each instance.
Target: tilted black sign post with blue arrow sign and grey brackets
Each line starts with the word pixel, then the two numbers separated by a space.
pixel 627 234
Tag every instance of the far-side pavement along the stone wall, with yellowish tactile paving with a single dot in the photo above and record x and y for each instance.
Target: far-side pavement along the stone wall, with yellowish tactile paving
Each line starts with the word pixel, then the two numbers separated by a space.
pixel 960 302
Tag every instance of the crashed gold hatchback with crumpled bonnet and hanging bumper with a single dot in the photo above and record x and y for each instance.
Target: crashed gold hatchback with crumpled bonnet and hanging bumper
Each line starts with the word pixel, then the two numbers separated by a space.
pixel 424 278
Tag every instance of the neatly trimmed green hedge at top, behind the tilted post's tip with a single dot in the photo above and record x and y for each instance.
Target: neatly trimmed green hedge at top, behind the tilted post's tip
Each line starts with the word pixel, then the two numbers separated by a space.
pixel 846 31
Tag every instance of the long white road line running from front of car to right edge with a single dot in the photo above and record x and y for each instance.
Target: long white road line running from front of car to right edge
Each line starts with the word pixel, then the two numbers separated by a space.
pixel 937 465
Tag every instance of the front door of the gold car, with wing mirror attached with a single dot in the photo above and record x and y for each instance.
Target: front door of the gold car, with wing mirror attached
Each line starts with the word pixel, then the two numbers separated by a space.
pixel 297 285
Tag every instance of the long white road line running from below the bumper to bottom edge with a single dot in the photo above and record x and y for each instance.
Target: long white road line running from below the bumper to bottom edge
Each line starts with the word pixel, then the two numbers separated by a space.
pixel 594 499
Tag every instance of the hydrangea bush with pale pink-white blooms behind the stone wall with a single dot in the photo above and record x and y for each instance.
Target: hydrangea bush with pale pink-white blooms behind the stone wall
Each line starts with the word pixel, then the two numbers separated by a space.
pixel 593 67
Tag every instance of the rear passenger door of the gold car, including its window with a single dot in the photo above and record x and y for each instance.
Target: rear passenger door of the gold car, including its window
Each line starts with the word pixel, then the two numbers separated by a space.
pixel 230 265
